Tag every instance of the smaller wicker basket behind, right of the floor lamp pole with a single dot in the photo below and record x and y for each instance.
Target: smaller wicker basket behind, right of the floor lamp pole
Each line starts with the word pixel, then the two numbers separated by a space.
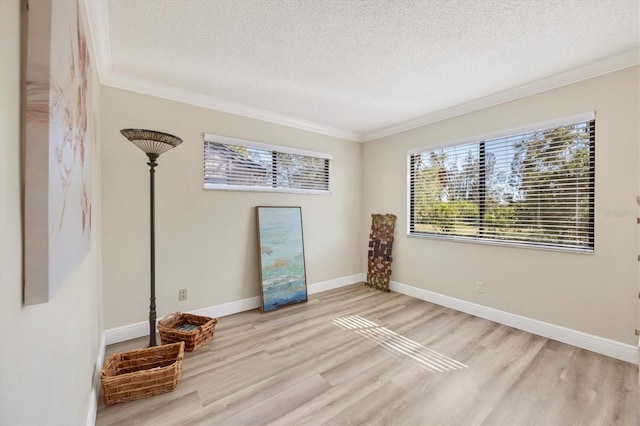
pixel 193 330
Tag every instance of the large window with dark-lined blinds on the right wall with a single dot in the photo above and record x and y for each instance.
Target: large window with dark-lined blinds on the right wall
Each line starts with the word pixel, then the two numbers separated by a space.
pixel 533 186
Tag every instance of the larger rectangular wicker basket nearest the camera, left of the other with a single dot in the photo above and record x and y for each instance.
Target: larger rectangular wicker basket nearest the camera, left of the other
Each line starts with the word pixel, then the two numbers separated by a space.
pixel 131 375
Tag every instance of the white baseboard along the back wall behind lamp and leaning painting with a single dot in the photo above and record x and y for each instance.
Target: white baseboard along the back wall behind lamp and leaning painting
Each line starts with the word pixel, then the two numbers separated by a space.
pixel 133 331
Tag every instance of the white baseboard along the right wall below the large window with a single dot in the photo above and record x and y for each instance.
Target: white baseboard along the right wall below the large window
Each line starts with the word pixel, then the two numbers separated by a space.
pixel 601 345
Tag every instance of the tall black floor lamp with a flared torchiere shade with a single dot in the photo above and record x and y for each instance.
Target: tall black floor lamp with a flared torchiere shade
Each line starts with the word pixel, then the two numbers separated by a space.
pixel 153 144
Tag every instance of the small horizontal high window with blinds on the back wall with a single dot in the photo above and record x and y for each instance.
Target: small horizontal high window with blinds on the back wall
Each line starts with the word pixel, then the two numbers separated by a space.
pixel 240 165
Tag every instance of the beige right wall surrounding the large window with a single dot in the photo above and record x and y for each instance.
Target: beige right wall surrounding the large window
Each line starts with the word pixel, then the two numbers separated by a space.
pixel 596 294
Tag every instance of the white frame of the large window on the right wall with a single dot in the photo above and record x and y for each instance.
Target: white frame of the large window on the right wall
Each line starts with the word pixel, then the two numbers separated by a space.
pixel 533 127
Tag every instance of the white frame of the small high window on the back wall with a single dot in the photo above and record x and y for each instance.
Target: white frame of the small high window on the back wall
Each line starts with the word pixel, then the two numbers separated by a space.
pixel 274 149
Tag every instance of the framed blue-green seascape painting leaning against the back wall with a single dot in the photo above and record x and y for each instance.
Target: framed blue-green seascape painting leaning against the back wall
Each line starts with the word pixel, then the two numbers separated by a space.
pixel 282 269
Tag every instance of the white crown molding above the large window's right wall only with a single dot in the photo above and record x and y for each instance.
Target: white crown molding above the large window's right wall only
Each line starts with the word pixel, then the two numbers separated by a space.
pixel 607 65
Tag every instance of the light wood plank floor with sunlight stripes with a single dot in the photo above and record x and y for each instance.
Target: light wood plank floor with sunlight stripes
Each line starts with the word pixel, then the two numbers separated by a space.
pixel 357 356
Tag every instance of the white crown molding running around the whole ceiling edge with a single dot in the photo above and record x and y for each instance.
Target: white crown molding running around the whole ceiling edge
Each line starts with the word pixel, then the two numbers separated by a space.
pixel 98 17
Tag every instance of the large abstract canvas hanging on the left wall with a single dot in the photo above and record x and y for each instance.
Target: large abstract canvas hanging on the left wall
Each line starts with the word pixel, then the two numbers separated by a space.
pixel 57 146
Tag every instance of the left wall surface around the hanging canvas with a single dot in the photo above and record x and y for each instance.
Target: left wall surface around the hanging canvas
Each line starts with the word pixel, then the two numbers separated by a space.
pixel 47 351
